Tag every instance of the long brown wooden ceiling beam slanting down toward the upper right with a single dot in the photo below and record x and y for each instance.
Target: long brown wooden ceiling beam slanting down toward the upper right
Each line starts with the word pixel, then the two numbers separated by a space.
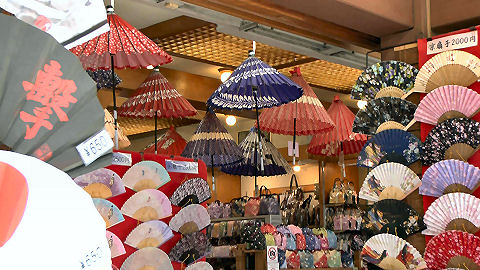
pixel 266 12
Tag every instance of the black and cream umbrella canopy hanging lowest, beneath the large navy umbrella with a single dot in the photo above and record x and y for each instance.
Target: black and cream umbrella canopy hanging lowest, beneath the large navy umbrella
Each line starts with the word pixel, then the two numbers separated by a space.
pixel 273 161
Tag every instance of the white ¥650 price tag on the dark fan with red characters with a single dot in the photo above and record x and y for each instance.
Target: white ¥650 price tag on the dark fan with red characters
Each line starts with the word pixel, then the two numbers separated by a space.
pixel 95 146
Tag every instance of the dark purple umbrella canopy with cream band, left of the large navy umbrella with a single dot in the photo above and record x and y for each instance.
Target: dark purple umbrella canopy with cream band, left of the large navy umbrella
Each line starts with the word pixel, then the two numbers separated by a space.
pixel 212 143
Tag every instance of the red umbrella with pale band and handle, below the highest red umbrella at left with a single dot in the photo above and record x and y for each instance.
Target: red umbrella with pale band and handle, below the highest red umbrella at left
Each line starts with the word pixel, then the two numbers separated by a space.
pixel 154 98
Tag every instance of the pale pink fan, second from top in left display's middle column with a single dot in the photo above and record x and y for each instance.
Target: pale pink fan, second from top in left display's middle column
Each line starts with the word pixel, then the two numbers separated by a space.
pixel 148 204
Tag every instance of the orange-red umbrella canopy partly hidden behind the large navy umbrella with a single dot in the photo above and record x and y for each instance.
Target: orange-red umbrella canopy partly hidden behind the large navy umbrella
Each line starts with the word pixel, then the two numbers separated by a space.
pixel 311 116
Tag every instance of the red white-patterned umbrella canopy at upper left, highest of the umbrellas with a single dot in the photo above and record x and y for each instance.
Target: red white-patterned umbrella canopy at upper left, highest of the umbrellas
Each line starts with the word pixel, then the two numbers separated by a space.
pixel 128 46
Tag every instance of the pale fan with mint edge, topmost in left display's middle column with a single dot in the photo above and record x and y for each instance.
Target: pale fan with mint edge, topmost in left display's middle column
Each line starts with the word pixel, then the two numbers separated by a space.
pixel 146 175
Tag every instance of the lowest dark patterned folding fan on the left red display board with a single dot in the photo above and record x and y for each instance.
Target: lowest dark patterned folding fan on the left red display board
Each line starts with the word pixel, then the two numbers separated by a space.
pixel 191 248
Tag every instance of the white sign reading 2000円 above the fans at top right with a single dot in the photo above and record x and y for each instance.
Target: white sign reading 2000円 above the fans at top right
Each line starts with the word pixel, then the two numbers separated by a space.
pixel 453 42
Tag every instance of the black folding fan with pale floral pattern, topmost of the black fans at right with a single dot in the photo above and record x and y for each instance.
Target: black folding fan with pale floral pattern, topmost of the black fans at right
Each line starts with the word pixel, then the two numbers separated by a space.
pixel 384 79
